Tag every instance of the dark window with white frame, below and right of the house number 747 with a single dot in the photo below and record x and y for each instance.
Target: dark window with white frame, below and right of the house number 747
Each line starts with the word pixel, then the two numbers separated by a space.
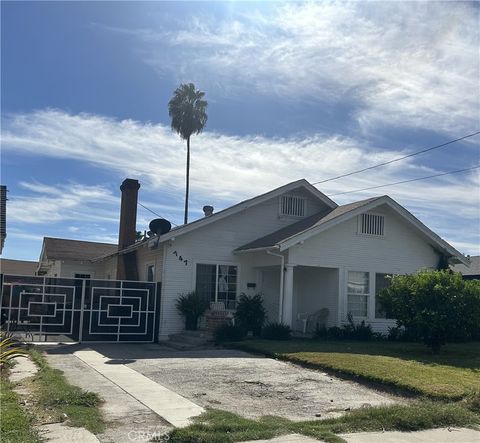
pixel 218 283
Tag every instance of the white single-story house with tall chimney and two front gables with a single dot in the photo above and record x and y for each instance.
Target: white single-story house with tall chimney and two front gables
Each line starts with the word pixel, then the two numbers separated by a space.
pixel 293 244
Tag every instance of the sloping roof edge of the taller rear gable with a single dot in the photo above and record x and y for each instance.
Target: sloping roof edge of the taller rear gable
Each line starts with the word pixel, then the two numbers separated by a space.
pixel 180 230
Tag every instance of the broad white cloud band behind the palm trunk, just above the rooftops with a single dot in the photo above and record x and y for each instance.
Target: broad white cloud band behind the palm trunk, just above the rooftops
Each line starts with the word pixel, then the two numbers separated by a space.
pixel 225 169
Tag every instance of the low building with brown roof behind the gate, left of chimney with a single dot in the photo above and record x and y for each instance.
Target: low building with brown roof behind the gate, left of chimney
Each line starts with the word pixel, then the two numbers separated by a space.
pixel 74 258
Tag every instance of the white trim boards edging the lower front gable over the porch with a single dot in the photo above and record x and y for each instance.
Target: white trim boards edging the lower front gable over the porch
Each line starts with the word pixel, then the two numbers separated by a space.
pixel 436 239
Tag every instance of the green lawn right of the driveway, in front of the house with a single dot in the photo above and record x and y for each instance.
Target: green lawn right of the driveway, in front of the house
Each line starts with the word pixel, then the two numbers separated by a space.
pixel 453 374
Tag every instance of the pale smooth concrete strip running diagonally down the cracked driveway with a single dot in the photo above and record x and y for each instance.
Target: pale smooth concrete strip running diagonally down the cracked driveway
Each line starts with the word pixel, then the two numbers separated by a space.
pixel 174 408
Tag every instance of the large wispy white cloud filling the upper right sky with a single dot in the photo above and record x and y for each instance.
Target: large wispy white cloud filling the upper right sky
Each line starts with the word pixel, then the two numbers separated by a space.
pixel 410 64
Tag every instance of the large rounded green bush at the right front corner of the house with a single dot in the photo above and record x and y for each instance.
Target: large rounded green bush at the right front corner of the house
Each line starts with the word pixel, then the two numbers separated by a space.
pixel 434 306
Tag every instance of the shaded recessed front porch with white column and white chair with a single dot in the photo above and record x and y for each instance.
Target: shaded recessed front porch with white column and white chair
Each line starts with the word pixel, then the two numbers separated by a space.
pixel 310 295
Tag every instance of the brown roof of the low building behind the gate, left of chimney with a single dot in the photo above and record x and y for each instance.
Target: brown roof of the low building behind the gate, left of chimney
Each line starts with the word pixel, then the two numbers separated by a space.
pixel 65 249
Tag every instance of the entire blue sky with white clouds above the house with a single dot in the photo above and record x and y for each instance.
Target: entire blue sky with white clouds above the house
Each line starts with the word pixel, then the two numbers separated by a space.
pixel 295 90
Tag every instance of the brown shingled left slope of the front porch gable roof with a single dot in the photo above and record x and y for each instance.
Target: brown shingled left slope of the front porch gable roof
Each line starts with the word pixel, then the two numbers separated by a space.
pixel 273 239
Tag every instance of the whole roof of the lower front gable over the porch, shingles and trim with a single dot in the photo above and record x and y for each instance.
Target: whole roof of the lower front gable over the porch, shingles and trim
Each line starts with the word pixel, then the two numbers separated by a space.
pixel 341 214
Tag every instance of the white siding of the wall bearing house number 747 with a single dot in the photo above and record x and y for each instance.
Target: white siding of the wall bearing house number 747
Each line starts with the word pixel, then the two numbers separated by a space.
pixel 215 244
